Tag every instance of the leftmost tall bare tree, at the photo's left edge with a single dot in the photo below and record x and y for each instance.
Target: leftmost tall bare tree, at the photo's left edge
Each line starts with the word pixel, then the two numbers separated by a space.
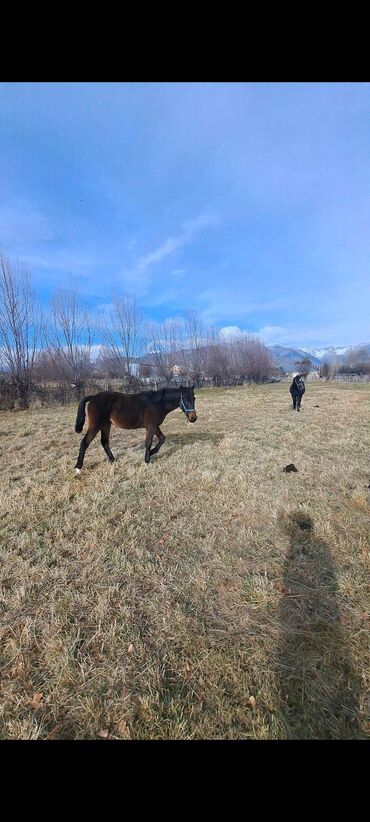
pixel 20 327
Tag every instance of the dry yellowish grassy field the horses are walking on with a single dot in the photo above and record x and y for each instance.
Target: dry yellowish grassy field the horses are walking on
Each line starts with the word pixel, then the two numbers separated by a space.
pixel 207 595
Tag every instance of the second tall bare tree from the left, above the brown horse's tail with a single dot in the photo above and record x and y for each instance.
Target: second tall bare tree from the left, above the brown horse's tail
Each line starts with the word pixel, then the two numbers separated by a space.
pixel 70 339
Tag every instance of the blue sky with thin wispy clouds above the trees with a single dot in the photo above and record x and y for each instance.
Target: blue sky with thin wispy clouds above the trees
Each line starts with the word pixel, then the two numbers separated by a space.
pixel 248 202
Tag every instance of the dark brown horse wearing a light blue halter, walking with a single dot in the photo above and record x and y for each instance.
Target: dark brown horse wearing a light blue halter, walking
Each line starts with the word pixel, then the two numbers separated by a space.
pixel 145 410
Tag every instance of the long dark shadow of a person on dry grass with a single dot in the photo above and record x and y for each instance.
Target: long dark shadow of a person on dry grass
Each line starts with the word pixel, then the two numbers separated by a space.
pixel 319 687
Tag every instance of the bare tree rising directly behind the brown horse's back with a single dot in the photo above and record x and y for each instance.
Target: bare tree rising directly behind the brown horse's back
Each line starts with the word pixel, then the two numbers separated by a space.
pixel 123 334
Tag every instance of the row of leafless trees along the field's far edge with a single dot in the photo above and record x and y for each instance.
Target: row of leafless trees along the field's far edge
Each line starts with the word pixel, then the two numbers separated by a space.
pixel 68 346
